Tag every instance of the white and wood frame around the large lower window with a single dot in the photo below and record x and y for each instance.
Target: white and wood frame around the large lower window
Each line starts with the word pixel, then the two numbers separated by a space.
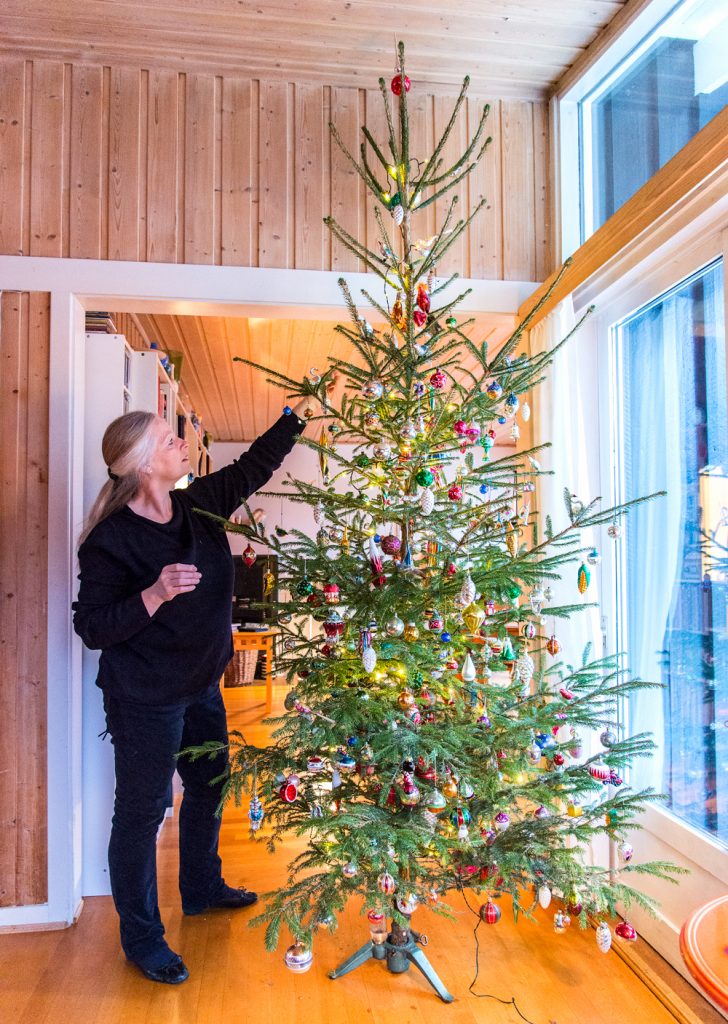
pixel 627 286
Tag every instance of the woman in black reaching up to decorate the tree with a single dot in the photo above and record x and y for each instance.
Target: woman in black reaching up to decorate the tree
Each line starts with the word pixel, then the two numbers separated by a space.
pixel 156 596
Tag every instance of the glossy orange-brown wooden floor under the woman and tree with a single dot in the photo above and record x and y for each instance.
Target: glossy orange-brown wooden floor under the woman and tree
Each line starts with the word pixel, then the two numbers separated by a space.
pixel 79 976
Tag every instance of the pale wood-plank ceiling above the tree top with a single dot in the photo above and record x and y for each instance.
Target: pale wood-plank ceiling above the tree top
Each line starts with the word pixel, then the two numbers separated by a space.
pixel 509 48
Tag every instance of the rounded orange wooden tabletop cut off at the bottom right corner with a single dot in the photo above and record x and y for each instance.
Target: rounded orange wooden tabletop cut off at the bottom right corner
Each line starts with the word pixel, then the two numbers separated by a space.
pixel 704 945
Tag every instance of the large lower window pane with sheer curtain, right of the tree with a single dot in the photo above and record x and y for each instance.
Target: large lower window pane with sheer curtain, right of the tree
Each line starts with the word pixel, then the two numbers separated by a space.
pixel 671 425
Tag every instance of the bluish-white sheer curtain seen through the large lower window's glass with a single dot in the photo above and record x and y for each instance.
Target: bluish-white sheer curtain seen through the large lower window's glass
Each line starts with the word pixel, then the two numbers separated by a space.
pixel 653 458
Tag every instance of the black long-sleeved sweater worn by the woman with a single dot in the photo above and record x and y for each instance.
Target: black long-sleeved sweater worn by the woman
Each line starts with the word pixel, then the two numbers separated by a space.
pixel 186 646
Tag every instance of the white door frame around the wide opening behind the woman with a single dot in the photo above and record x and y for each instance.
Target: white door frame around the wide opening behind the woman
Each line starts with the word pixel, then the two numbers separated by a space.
pixel 77 285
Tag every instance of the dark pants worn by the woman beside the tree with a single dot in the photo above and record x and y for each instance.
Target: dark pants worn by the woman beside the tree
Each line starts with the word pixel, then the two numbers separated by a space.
pixel 146 741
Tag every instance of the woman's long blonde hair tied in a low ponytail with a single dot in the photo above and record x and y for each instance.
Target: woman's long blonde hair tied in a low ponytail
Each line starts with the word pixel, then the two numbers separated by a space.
pixel 129 445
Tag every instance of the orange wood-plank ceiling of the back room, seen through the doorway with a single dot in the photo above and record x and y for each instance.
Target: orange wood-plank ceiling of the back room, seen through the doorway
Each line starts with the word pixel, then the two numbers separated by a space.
pixel 235 402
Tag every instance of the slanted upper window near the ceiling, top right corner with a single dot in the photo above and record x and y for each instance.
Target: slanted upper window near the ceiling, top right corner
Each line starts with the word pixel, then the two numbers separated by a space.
pixel 651 105
